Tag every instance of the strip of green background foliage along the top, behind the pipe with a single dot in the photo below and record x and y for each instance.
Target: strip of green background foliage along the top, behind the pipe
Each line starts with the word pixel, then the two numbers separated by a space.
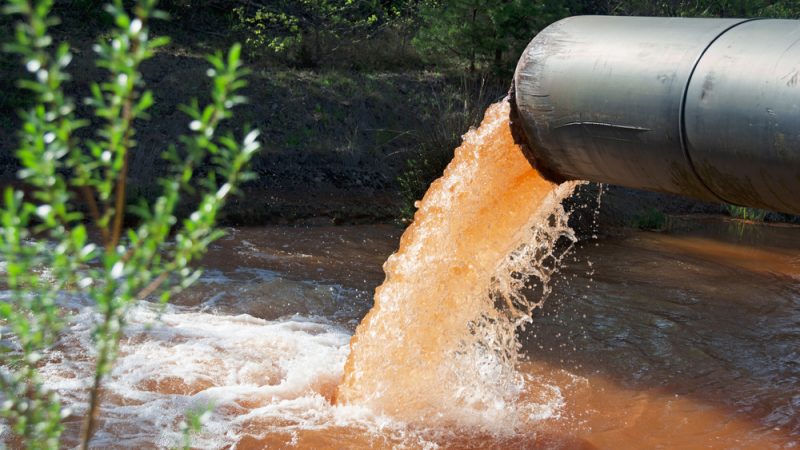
pixel 477 35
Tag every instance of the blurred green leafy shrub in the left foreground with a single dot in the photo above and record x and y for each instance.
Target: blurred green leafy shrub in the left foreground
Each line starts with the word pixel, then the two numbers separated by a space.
pixel 75 185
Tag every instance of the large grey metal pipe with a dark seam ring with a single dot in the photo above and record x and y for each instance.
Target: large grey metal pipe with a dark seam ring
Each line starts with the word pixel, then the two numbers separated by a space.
pixel 708 108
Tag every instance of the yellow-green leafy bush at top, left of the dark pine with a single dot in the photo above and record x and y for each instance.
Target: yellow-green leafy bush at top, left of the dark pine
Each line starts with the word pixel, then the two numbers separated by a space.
pixel 315 33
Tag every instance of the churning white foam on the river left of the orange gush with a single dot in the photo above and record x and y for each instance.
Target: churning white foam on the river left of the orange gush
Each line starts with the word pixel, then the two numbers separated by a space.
pixel 188 359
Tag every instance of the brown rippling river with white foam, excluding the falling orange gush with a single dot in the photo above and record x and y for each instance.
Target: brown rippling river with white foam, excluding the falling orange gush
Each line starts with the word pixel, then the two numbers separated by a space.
pixel 684 339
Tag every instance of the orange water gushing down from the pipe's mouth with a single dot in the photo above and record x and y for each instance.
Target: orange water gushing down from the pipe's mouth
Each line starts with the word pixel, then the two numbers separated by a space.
pixel 439 344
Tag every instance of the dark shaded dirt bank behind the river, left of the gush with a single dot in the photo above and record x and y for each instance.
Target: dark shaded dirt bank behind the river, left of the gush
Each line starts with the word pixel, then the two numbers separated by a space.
pixel 334 141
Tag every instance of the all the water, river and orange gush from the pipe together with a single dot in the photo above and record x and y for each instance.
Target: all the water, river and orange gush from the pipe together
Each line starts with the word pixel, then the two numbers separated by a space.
pixel 686 339
